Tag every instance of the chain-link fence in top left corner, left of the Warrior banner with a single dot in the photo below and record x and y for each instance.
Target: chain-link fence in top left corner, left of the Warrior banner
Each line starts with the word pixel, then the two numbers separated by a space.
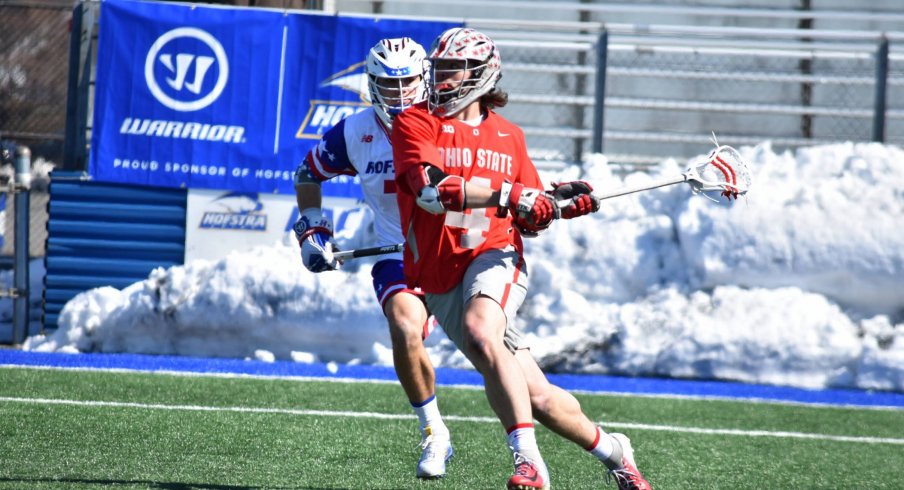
pixel 34 62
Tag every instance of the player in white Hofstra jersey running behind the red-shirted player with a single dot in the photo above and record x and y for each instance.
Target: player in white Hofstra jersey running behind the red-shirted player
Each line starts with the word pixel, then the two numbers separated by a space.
pixel 359 145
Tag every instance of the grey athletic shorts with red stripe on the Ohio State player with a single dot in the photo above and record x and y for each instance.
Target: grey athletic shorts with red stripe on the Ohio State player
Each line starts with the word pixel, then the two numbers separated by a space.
pixel 498 274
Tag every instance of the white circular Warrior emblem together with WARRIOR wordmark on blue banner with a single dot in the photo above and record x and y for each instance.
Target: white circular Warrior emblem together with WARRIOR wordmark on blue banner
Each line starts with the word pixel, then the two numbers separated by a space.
pixel 186 70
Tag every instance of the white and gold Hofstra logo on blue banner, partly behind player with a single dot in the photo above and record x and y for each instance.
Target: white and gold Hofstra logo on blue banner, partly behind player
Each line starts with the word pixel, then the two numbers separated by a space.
pixel 324 114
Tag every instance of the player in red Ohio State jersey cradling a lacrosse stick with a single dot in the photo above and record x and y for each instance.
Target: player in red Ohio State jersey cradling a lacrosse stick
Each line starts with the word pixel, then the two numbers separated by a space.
pixel 467 193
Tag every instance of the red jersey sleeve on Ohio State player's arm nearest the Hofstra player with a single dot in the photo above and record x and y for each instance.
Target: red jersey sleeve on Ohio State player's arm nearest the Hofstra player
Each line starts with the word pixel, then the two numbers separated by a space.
pixel 413 143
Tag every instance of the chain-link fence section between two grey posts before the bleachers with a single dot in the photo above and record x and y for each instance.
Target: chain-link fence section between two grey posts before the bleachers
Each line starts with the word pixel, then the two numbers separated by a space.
pixel 669 100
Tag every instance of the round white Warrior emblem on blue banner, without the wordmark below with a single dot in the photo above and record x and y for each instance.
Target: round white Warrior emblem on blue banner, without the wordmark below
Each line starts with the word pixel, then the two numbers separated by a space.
pixel 186 69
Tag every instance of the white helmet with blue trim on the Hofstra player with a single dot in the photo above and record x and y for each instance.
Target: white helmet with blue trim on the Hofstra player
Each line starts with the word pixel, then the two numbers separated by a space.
pixel 392 66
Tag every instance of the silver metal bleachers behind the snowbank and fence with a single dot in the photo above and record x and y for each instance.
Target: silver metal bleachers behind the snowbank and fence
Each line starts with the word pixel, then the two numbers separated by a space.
pixel 675 73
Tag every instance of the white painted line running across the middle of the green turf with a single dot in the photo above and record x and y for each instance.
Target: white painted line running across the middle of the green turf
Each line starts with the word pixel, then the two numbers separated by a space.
pixel 391 416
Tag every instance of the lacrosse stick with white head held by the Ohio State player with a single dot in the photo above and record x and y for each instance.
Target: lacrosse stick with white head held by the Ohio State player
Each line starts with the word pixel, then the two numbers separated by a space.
pixel 723 170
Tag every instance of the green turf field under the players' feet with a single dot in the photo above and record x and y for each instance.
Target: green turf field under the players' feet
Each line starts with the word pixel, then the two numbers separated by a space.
pixel 89 429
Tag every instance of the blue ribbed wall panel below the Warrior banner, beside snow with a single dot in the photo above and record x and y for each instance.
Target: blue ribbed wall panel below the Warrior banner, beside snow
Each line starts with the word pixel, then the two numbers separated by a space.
pixel 103 234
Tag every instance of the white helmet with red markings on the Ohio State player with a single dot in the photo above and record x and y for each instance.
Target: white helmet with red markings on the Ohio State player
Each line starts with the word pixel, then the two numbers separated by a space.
pixel 481 57
